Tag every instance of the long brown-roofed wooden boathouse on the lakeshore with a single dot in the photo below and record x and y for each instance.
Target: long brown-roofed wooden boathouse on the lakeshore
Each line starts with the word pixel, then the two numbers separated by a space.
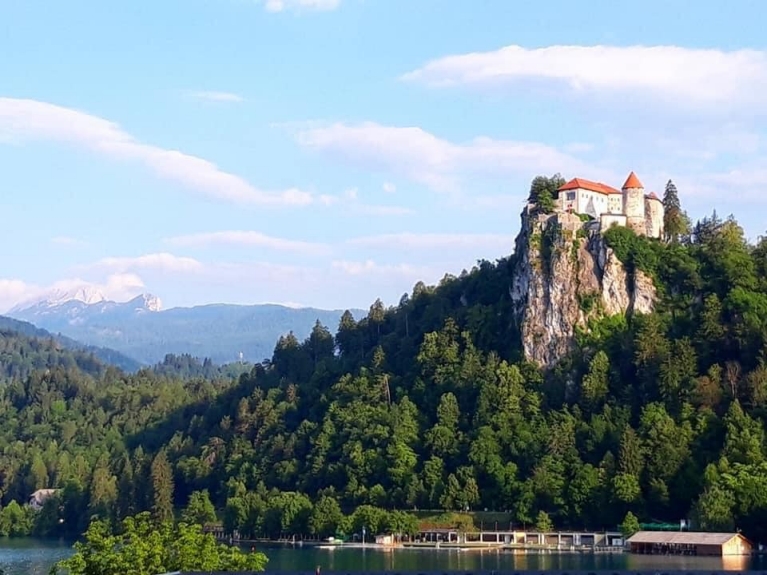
pixel 688 543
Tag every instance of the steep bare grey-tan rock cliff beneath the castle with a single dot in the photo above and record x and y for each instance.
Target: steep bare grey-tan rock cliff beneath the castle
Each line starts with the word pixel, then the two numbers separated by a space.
pixel 564 276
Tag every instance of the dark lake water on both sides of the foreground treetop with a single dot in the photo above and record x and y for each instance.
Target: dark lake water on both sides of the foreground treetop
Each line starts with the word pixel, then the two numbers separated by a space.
pixel 27 556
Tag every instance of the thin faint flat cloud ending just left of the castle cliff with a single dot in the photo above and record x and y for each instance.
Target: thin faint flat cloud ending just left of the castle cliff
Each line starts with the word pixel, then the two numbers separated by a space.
pixel 414 241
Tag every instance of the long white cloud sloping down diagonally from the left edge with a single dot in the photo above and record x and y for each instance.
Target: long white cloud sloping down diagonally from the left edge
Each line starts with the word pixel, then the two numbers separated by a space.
pixel 33 120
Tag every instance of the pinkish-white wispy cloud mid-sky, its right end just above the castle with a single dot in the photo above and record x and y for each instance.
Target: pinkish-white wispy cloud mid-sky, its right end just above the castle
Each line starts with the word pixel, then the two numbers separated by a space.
pixel 416 154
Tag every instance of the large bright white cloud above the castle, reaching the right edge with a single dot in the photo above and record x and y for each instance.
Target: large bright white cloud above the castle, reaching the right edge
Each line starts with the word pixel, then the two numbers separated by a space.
pixel 685 76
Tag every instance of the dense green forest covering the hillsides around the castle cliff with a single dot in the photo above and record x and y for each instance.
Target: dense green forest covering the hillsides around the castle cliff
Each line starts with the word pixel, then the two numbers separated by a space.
pixel 424 405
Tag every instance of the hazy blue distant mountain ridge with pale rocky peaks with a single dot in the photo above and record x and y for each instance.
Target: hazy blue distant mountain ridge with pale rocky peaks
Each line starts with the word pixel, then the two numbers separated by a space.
pixel 141 329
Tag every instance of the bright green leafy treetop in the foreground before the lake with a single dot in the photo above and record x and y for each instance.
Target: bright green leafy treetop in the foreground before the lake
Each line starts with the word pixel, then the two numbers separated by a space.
pixel 144 547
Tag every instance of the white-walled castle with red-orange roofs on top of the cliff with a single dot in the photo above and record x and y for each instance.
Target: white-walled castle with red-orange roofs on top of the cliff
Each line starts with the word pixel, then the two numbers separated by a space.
pixel 629 206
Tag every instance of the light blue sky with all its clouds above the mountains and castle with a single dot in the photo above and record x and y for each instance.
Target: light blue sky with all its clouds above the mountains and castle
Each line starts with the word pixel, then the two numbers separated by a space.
pixel 328 152
